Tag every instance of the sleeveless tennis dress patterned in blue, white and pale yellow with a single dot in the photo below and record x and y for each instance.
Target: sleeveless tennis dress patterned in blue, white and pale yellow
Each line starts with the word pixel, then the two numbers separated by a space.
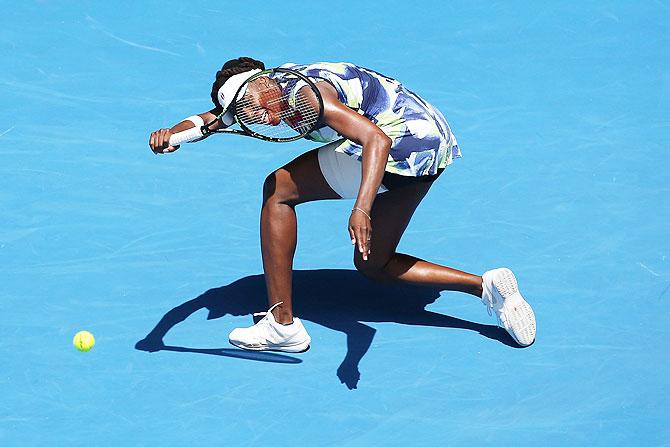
pixel 422 139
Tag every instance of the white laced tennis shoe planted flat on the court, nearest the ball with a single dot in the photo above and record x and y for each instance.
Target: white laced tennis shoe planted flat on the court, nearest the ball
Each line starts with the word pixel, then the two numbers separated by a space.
pixel 268 335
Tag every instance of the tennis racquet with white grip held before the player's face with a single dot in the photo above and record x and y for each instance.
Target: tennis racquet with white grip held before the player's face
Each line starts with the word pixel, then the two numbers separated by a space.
pixel 276 105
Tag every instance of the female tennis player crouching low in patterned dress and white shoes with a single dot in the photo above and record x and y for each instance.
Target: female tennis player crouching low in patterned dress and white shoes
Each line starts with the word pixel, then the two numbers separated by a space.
pixel 385 148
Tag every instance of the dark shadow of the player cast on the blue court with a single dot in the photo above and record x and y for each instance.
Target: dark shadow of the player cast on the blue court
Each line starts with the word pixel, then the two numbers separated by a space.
pixel 337 299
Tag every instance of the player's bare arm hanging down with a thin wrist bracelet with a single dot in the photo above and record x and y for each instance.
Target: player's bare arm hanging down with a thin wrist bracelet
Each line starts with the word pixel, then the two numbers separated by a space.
pixel 376 147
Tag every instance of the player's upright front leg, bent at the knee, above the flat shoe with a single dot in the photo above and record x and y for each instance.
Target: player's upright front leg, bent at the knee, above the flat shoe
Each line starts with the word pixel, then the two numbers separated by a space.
pixel 297 182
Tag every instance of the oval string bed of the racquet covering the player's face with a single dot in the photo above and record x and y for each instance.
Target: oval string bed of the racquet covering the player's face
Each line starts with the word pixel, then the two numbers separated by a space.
pixel 281 107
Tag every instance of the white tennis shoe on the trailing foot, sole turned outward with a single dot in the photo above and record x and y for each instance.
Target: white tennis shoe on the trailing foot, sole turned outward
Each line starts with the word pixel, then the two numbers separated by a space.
pixel 501 295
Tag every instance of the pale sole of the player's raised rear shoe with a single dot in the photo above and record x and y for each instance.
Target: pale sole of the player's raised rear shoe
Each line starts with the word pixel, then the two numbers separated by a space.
pixel 519 315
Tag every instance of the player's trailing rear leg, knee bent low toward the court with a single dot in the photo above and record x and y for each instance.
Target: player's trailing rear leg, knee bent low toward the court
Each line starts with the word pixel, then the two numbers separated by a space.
pixel 391 214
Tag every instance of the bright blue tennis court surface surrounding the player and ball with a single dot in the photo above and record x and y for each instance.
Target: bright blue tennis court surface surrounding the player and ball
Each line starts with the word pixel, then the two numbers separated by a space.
pixel 561 111
